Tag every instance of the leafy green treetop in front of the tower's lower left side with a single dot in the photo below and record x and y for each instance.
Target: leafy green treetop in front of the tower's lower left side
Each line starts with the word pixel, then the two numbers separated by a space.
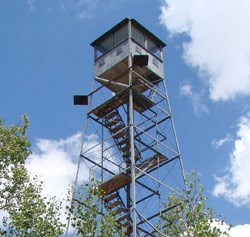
pixel 87 216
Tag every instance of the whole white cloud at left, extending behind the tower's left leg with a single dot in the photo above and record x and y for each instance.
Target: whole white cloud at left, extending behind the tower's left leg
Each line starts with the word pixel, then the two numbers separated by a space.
pixel 55 161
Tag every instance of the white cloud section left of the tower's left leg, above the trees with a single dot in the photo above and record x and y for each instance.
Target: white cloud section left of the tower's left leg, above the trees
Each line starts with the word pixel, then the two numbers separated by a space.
pixel 55 161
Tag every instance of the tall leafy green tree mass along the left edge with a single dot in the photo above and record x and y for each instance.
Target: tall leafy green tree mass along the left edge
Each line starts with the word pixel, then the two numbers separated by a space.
pixel 28 213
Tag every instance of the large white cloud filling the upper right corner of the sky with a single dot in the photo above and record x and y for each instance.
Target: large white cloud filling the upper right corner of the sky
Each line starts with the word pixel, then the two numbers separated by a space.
pixel 218 42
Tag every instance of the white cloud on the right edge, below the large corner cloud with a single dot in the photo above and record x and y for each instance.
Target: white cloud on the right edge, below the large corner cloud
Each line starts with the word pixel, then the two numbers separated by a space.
pixel 234 186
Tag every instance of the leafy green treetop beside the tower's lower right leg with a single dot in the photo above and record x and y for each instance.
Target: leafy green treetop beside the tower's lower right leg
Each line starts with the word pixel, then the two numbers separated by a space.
pixel 188 215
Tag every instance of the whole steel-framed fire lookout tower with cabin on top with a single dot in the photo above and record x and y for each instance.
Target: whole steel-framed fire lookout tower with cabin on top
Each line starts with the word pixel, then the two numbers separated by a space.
pixel 129 143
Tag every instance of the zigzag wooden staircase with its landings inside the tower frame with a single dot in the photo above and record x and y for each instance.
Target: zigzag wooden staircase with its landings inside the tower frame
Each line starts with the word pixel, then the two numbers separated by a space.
pixel 108 112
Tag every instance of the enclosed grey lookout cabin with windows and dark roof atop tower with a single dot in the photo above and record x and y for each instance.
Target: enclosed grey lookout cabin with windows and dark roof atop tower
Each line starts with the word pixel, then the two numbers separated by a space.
pixel 128 44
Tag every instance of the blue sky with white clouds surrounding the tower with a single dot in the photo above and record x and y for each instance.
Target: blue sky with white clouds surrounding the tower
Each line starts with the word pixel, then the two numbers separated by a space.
pixel 46 58
